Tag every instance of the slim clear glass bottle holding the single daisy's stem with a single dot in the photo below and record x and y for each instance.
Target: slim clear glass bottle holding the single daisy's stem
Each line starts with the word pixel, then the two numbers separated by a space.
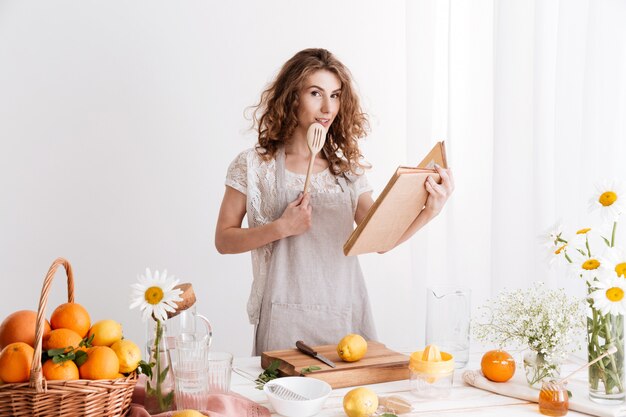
pixel 160 386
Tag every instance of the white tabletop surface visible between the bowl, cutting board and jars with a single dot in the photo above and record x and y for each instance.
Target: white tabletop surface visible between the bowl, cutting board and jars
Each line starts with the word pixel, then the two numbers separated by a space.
pixel 464 400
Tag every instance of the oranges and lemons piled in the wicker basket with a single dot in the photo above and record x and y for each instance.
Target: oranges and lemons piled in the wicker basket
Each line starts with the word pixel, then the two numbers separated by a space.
pixel 72 347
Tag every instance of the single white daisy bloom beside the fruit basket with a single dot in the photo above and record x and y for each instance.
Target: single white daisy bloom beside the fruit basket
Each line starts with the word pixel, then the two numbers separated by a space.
pixel 155 295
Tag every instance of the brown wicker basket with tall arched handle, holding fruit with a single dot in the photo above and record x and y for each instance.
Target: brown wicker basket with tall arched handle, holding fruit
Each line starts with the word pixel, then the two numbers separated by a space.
pixel 39 398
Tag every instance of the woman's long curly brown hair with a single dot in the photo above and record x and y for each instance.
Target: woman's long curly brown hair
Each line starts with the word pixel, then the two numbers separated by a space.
pixel 275 116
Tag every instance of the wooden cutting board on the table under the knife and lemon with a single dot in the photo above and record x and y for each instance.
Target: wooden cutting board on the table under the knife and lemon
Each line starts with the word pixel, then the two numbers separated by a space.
pixel 378 365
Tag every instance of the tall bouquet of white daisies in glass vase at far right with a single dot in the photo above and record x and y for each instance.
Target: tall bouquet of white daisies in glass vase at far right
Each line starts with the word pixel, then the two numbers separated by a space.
pixel 591 255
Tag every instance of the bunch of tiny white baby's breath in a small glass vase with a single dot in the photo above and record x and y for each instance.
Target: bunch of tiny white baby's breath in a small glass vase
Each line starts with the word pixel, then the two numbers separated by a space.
pixel 544 321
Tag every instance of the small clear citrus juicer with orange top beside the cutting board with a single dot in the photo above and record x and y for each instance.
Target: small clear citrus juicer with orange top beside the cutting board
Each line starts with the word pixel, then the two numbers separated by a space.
pixel 431 373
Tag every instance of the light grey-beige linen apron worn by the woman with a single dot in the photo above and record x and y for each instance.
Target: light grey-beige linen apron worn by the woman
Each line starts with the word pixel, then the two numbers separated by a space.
pixel 313 292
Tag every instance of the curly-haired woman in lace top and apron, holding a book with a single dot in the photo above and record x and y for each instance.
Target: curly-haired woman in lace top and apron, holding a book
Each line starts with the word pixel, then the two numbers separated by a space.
pixel 304 288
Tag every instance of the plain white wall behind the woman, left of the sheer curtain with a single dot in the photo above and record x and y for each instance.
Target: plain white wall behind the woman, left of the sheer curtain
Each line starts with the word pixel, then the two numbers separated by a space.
pixel 118 120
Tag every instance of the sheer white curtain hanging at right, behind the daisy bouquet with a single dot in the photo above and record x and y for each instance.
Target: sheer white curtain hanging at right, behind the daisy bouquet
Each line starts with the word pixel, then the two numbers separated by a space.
pixel 535 96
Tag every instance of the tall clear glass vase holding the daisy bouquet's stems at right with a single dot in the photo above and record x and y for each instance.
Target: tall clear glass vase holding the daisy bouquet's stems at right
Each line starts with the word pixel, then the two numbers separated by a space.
pixel 606 377
